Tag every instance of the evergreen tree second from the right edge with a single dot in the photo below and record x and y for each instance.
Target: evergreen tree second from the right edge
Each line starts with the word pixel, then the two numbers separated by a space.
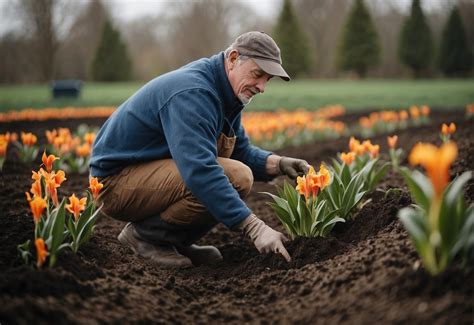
pixel 415 48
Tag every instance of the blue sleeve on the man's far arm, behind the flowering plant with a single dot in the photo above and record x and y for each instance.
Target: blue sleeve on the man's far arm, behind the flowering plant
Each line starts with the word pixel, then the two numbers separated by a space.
pixel 250 155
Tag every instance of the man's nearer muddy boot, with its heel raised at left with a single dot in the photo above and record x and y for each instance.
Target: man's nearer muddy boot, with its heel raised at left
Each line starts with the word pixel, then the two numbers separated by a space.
pixel 163 255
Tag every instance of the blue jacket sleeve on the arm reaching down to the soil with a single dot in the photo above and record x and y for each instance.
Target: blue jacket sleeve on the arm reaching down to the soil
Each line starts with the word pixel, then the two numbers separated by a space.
pixel 190 122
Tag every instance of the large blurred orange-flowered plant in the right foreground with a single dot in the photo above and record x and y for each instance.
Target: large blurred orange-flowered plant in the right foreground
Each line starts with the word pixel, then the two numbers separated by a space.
pixel 440 224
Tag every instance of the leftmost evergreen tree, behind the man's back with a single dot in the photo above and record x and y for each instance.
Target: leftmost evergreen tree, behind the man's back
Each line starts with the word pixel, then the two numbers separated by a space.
pixel 111 60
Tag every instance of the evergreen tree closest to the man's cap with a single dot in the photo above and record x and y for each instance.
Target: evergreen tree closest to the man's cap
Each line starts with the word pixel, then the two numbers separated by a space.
pixel 292 41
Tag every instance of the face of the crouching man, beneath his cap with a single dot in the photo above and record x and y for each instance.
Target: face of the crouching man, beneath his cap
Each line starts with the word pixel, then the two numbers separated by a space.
pixel 246 78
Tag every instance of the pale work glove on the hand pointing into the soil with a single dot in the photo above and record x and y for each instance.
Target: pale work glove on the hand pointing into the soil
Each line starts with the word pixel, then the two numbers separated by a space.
pixel 264 238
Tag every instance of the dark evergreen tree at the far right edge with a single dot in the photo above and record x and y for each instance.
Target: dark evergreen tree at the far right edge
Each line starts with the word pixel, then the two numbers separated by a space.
pixel 455 56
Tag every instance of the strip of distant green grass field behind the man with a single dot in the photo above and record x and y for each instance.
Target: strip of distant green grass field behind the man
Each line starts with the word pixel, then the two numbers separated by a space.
pixel 310 94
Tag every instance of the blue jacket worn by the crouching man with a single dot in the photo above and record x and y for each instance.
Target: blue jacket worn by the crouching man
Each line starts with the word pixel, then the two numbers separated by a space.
pixel 180 115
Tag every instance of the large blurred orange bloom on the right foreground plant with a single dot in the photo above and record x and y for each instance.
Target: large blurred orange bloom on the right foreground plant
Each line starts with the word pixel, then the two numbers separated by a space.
pixel 436 161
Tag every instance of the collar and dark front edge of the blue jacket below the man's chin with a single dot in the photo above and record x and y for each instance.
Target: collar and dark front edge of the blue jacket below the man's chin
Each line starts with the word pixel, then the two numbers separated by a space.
pixel 232 104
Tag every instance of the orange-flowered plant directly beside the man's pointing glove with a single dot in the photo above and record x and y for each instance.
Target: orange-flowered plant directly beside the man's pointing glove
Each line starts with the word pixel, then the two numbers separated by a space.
pixel 301 210
